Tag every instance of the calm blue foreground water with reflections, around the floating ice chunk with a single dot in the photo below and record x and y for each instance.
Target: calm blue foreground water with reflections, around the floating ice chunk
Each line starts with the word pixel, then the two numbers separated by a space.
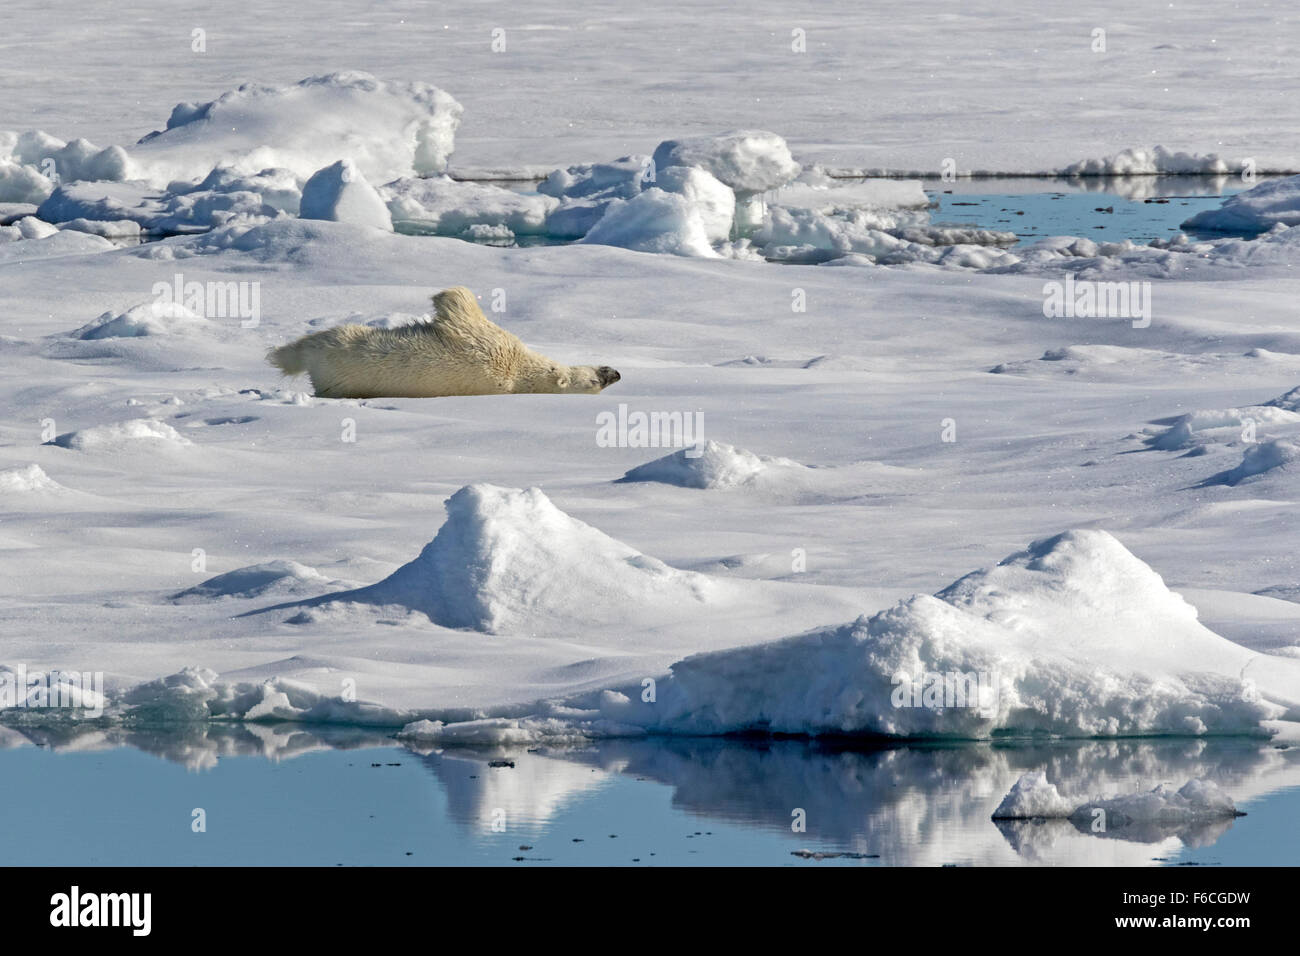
pixel 302 797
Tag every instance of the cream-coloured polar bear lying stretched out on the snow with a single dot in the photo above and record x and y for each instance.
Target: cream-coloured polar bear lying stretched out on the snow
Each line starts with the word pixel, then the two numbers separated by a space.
pixel 460 353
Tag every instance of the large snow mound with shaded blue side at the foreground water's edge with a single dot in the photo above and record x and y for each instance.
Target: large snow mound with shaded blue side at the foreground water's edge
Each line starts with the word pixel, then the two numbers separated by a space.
pixel 1074 637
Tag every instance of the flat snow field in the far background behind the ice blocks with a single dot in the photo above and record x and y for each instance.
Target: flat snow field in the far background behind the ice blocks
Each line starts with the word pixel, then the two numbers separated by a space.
pixel 583 84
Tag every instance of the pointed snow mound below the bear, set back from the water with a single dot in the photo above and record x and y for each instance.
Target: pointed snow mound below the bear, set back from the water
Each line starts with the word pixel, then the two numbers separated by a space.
pixel 508 560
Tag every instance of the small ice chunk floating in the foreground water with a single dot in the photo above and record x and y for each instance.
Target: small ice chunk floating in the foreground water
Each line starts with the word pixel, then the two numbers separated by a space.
pixel 1198 801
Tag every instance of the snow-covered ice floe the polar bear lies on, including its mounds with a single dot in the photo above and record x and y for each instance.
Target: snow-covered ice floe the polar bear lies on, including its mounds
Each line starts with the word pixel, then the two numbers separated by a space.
pixel 171 444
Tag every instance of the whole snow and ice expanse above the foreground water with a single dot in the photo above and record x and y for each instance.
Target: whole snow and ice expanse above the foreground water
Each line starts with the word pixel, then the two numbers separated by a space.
pixel 475 566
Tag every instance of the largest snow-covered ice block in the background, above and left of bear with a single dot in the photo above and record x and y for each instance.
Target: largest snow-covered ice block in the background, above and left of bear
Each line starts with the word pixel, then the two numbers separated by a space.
pixel 387 129
